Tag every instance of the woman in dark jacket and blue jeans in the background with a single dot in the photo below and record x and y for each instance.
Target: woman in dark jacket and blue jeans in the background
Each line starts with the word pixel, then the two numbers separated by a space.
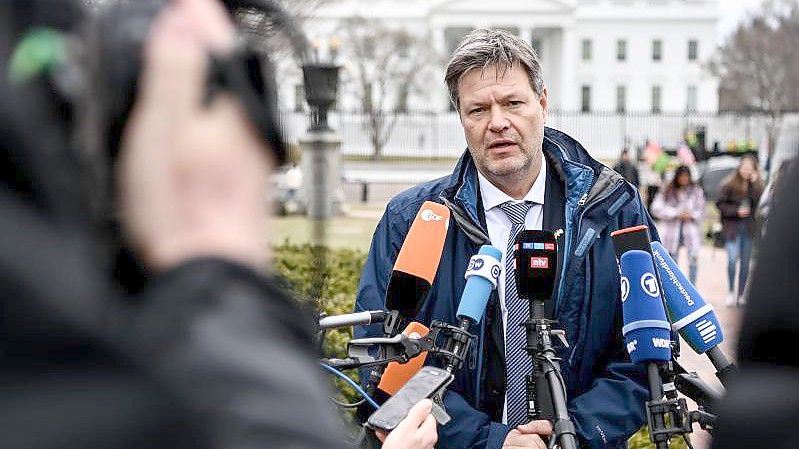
pixel 738 197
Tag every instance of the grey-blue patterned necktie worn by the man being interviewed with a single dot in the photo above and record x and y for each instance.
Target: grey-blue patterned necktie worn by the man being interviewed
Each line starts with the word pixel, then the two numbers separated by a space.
pixel 517 361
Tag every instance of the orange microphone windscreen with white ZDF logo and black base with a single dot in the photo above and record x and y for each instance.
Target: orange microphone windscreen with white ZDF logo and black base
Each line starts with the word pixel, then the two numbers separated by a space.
pixel 417 261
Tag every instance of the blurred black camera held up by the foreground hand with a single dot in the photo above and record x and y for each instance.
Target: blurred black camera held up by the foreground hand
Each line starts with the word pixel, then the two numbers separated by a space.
pixel 113 57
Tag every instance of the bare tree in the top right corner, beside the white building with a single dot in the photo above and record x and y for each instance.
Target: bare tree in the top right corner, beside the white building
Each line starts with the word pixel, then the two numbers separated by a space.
pixel 758 67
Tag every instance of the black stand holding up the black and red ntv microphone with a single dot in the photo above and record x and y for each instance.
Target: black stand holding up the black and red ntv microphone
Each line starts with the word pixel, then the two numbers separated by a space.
pixel 546 364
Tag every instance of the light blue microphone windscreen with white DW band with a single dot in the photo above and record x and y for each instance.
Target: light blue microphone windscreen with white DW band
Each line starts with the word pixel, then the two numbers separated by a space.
pixel 482 277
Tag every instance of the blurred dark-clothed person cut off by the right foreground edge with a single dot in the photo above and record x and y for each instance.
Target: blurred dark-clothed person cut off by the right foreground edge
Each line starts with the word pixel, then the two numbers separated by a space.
pixel 761 404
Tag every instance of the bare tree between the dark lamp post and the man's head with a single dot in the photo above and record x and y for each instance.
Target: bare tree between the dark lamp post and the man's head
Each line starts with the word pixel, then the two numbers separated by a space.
pixel 385 67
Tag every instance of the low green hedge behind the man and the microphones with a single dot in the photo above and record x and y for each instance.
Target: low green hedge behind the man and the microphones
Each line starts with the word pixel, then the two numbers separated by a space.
pixel 340 274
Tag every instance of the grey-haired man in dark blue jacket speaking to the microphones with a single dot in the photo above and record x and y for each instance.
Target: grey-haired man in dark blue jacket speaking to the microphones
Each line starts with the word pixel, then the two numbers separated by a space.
pixel 518 174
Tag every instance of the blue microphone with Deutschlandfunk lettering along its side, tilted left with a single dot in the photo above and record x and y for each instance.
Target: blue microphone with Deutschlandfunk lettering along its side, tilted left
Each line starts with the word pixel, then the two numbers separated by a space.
pixel 691 316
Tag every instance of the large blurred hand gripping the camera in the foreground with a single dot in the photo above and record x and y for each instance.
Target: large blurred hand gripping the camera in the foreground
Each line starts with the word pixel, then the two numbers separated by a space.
pixel 191 172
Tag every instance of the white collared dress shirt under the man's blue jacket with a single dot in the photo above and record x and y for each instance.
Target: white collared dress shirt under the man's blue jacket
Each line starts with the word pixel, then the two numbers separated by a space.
pixel 499 227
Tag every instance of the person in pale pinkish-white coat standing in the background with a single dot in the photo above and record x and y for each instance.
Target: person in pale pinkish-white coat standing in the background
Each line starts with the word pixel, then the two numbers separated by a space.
pixel 680 208
